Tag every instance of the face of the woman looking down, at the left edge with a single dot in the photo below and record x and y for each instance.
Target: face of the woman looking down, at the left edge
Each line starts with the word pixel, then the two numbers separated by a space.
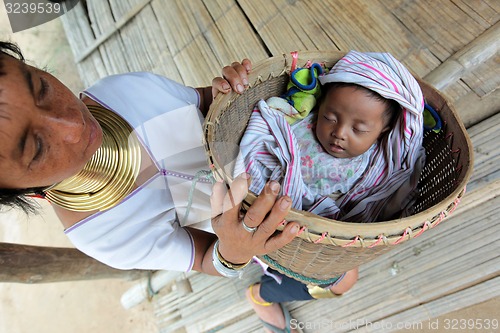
pixel 47 134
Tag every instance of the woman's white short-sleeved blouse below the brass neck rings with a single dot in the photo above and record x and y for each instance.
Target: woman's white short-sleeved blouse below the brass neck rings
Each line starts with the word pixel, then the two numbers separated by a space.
pixel 144 230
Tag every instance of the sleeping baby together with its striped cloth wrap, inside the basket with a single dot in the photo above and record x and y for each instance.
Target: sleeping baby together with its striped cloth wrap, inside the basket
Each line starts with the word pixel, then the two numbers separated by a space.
pixel 364 145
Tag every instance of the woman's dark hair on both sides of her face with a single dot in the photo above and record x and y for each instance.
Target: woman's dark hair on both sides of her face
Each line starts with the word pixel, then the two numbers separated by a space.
pixel 16 198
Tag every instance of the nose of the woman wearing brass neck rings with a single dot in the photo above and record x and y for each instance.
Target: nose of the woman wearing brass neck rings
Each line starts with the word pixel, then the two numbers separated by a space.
pixel 68 126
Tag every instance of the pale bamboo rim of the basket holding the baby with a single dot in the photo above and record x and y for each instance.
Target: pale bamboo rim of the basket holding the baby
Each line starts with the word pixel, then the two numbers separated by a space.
pixel 335 232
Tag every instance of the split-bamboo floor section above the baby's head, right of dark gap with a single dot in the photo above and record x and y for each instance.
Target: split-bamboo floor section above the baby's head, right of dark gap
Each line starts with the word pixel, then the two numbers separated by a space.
pixel 360 25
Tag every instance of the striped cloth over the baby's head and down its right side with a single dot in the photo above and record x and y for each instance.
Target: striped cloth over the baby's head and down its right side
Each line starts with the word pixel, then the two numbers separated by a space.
pixel 388 186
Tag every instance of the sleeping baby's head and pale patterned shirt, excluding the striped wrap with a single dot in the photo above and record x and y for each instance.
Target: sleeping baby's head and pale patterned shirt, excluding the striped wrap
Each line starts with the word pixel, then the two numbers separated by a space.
pixel 337 142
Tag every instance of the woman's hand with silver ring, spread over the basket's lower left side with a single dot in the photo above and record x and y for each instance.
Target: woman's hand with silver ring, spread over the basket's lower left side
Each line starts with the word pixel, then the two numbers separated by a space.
pixel 238 245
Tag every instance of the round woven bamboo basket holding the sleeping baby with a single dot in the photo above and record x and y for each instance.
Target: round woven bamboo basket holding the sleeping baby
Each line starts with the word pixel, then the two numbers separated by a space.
pixel 327 248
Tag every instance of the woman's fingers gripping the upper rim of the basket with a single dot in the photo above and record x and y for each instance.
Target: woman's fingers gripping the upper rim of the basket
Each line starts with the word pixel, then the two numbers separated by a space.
pixel 234 76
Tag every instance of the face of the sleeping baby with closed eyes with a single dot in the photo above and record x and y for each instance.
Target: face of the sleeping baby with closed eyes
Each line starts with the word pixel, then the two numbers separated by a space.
pixel 349 122
